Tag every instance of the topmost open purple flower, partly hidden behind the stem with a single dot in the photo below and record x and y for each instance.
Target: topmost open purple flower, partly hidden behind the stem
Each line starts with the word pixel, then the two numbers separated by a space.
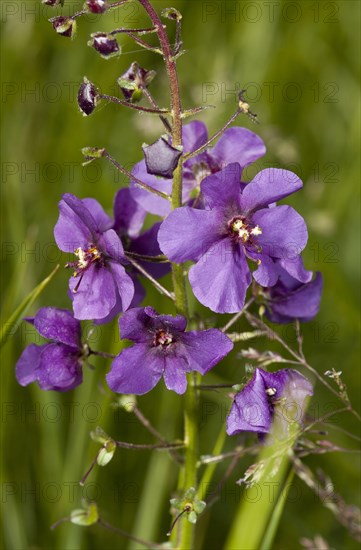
pixel 236 145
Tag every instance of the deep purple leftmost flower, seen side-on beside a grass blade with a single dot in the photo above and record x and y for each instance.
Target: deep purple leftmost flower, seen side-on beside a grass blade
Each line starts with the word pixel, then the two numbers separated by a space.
pixel 58 364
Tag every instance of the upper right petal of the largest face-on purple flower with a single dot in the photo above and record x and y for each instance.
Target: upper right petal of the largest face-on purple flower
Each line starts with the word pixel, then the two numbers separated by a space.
pixel 269 186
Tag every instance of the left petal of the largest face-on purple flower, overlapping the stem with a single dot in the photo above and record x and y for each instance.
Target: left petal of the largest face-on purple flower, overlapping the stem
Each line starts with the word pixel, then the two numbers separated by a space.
pixel 187 233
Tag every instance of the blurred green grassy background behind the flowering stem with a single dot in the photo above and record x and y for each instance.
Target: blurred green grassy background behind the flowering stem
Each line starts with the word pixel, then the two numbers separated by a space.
pixel 300 63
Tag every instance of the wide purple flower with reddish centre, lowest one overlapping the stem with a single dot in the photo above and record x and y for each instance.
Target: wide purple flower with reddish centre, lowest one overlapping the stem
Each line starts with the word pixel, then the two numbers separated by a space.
pixel 163 349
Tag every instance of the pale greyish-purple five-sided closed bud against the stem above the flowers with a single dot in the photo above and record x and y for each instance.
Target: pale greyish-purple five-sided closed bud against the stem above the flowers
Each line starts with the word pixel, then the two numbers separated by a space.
pixel 161 158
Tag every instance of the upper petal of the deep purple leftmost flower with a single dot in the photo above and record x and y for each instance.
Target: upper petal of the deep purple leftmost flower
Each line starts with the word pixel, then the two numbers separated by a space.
pixel 58 325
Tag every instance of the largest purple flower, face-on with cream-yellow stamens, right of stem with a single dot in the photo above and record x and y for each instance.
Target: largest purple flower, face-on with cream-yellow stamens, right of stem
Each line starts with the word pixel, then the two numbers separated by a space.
pixel 240 221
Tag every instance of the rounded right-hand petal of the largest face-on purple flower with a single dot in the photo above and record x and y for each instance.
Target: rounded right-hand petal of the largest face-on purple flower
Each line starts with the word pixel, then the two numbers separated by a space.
pixel 284 232
